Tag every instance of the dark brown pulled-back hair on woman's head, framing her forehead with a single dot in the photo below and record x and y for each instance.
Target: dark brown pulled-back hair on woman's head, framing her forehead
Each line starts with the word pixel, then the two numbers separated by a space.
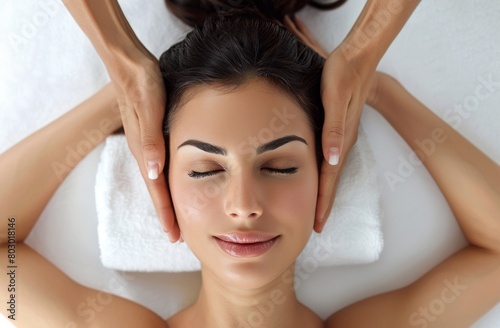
pixel 233 48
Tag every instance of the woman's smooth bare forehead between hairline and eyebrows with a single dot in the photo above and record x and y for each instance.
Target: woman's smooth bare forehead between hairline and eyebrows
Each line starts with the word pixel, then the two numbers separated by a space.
pixel 255 109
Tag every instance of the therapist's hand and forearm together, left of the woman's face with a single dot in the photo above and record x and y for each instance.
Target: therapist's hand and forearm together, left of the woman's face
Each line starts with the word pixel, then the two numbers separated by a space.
pixel 140 91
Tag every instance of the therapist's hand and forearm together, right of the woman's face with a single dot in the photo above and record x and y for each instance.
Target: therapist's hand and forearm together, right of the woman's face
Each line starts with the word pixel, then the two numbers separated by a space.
pixel 345 83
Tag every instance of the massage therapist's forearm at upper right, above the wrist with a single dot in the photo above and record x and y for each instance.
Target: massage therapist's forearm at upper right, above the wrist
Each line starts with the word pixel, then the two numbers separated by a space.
pixel 373 32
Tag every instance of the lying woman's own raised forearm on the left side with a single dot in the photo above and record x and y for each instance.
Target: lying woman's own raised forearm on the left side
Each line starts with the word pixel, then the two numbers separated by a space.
pixel 32 170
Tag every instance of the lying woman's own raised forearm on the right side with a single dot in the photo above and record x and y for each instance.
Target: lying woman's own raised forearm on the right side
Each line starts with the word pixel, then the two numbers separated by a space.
pixel 469 180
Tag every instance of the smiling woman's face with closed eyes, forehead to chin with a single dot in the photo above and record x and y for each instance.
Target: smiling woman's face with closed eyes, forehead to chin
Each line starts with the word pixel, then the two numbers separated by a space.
pixel 243 180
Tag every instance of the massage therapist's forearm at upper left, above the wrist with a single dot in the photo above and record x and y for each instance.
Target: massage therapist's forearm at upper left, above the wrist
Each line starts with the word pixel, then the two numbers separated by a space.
pixel 107 28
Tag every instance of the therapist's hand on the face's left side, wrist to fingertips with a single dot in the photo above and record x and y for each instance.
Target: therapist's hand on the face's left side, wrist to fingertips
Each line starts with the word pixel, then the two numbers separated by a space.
pixel 141 97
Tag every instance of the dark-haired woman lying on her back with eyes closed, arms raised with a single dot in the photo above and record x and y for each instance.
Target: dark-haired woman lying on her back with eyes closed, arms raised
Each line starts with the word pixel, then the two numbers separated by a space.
pixel 226 81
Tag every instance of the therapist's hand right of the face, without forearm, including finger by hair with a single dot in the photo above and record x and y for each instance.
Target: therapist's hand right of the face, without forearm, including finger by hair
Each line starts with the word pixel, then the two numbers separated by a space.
pixel 344 86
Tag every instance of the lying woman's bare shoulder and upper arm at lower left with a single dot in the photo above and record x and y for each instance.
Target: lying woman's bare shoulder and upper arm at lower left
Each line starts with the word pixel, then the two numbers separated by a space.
pixel 49 298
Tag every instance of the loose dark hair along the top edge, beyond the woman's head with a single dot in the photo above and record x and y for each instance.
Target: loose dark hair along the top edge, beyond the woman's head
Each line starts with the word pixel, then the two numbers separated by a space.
pixel 194 12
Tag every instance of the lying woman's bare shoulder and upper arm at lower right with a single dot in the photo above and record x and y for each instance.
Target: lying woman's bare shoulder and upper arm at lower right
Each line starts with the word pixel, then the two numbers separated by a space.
pixel 456 293
